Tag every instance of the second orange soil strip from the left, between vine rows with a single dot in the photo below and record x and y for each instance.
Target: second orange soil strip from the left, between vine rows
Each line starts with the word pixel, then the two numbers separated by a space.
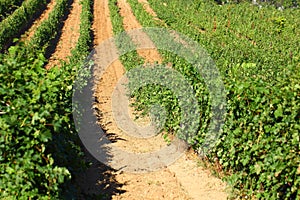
pixel 69 36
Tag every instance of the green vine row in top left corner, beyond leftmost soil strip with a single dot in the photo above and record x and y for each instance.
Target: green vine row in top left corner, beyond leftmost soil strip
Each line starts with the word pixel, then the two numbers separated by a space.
pixel 14 24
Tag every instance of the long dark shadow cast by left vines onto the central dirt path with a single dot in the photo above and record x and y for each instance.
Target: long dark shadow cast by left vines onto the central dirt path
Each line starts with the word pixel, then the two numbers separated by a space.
pixel 90 178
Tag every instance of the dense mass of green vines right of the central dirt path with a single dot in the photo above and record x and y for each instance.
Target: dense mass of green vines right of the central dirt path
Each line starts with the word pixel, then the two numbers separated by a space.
pixel 257 53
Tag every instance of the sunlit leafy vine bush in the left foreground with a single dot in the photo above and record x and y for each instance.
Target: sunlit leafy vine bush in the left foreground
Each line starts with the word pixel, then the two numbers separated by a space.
pixel 31 106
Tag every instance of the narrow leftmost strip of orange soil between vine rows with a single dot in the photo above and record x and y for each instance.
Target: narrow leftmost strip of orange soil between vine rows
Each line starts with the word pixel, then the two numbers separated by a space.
pixel 36 23
